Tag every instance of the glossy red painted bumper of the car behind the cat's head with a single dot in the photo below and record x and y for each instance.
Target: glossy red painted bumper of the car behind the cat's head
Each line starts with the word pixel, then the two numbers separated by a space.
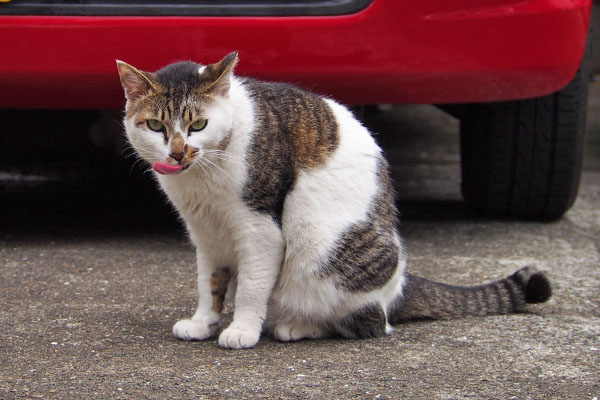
pixel 394 51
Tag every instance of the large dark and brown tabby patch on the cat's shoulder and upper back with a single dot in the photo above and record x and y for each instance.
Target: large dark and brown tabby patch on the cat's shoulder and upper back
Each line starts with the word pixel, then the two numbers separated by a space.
pixel 295 131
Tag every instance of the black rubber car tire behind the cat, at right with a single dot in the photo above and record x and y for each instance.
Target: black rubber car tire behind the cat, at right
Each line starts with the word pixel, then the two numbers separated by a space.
pixel 523 159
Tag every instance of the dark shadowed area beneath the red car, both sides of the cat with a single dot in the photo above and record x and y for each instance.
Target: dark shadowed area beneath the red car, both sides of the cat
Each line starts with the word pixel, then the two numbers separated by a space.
pixel 76 186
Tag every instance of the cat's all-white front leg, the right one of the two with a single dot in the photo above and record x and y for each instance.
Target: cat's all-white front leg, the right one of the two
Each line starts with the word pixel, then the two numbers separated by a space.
pixel 260 261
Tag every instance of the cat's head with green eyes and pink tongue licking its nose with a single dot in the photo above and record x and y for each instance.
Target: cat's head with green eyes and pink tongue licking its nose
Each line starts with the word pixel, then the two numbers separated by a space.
pixel 179 113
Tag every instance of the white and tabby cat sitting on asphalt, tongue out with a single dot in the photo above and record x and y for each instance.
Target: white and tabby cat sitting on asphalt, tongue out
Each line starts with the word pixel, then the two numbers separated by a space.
pixel 288 201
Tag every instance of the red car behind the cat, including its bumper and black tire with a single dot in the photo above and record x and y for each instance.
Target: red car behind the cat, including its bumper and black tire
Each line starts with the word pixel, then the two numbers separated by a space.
pixel 511 70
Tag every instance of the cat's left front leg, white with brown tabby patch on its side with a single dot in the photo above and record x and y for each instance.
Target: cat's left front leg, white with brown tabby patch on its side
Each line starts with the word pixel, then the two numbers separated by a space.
pixel 212 285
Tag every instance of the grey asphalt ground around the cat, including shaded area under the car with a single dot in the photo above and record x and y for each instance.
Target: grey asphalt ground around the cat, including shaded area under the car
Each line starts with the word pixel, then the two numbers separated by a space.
pixel 95 270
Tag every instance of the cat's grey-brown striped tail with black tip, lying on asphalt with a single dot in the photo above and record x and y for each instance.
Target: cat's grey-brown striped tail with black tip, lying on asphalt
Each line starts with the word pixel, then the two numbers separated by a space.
pixel 424 299
